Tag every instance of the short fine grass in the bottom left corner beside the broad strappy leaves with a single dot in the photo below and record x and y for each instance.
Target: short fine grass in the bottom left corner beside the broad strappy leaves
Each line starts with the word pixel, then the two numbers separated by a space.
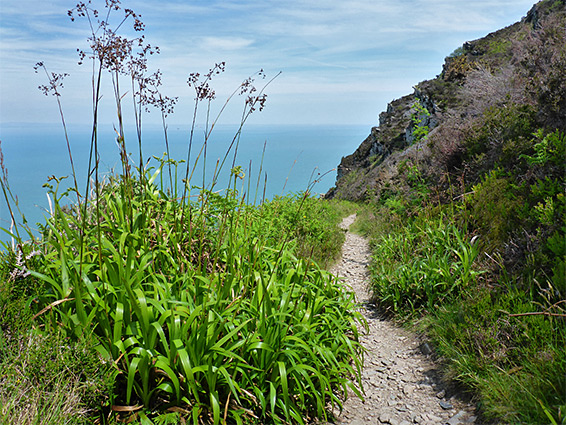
pixel 45 376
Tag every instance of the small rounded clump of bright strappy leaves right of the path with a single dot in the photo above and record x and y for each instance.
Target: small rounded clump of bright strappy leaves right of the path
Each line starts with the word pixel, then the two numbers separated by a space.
pixel 421 265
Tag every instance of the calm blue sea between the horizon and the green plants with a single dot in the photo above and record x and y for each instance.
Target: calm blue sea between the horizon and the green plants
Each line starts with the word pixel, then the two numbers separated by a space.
pixel 294 157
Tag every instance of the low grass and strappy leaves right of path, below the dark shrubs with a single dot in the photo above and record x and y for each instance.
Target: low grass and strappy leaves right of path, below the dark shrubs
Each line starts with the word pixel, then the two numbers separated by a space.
pixel 424 268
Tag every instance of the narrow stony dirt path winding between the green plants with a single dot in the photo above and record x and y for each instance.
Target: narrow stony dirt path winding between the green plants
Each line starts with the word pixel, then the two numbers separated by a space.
pixel 400 380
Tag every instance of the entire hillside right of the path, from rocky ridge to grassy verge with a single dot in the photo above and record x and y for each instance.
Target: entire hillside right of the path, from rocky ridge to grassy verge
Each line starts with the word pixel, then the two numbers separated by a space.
pixel 465 201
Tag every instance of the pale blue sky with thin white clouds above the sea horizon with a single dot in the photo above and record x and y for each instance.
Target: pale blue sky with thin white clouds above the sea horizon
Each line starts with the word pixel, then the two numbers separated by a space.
pixel 341 61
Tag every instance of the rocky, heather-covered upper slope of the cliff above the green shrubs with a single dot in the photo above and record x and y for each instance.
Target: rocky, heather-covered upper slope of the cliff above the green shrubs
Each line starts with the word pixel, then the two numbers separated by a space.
pixel 520 65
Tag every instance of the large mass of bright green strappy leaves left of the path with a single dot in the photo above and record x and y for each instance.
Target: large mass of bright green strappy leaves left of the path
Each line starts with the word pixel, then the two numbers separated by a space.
pixel 214 315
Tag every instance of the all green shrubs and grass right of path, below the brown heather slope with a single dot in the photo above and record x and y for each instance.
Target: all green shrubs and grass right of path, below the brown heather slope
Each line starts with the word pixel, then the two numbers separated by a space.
pixel 502 331
